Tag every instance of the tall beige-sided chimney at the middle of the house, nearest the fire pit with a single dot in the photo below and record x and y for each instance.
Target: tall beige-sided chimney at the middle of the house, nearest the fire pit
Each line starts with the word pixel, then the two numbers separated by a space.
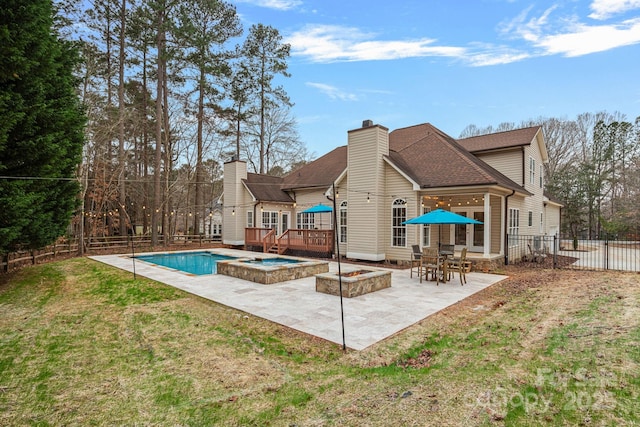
pixel 366 176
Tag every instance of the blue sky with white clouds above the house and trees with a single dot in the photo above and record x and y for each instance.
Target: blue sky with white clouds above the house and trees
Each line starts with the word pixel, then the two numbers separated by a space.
pixel 452 62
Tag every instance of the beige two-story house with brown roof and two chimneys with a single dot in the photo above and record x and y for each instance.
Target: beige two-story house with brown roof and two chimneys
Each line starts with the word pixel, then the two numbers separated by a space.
pixel 380 179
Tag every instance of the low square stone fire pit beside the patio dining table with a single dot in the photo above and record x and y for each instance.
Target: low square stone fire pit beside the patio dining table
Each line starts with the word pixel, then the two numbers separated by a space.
pixel 354 283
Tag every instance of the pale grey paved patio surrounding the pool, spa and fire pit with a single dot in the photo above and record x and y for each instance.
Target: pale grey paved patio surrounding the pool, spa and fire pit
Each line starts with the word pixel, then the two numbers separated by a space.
pixel 368 318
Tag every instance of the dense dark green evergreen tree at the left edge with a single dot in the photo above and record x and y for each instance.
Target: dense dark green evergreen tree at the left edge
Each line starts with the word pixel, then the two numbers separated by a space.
pixel 41 127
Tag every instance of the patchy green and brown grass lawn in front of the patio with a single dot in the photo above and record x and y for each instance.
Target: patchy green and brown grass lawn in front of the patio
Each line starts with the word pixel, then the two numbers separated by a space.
pixel 82 343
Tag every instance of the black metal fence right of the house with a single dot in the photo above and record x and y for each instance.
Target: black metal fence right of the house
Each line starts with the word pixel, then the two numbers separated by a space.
pixel 567 252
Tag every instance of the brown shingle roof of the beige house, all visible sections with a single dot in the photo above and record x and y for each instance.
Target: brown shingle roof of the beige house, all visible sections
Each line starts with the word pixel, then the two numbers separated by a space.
pixel 427 155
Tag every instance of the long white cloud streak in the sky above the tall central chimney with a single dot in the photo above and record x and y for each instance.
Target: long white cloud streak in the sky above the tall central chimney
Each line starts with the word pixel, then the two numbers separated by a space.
pixel 331 43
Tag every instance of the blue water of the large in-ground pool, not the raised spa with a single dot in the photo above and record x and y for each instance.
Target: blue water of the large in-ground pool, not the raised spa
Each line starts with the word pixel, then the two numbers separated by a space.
pixel 197 263
